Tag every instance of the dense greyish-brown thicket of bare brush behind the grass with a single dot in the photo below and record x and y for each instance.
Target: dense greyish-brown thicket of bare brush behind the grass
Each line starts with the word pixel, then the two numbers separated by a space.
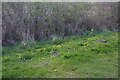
pixel 27 22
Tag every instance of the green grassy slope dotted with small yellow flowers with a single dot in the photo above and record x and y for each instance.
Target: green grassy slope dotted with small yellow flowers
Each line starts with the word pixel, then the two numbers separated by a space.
pixel 86 57
